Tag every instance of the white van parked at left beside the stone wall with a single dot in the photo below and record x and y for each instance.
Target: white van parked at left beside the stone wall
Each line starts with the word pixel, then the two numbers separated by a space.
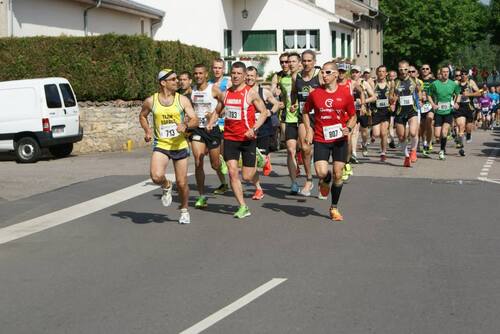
pixel 38 113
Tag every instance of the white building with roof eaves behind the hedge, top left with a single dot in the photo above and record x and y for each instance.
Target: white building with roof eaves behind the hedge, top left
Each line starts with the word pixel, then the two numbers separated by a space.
pixel 21 18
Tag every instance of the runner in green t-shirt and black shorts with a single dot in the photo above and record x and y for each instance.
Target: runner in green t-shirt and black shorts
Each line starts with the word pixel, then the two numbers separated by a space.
pixel 444 97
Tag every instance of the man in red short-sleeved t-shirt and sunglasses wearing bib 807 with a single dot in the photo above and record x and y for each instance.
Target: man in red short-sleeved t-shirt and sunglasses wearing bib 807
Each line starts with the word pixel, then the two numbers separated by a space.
pixel 334 118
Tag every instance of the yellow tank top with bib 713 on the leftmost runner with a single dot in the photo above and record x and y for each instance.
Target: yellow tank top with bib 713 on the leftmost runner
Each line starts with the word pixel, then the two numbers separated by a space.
pixel 165 120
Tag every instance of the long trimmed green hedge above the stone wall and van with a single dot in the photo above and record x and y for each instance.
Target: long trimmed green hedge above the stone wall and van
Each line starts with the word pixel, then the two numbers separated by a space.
pixel 100 68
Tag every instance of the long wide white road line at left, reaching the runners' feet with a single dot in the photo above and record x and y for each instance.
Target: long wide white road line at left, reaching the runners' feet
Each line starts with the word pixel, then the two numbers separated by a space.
pixel 62 216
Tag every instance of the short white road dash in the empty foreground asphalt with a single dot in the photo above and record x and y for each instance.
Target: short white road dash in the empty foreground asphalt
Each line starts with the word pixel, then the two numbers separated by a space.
pixel 233 307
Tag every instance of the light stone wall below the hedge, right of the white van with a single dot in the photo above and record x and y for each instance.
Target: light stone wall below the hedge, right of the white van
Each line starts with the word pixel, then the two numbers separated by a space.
pixel 107 126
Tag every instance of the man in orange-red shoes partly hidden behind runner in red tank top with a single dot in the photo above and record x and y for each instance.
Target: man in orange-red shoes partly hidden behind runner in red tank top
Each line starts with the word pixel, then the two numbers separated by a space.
pixel 266 130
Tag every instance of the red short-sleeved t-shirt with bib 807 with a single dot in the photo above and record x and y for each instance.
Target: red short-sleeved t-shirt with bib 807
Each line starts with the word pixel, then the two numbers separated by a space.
pixel 332 111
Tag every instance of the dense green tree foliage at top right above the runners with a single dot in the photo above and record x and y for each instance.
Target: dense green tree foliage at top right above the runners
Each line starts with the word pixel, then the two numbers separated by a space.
pixel 425 31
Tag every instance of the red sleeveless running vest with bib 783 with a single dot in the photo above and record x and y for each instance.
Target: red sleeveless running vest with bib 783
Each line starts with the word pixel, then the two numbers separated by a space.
pixel 239 115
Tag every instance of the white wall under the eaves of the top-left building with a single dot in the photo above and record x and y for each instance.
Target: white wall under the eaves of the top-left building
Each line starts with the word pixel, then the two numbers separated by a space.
pixel 59 17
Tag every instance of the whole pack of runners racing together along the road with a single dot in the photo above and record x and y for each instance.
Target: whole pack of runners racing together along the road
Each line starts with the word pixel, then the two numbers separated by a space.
pixel 321 112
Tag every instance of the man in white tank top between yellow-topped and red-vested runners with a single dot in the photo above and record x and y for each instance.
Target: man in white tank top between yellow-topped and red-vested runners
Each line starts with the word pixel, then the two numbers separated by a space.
pixel 204 99
